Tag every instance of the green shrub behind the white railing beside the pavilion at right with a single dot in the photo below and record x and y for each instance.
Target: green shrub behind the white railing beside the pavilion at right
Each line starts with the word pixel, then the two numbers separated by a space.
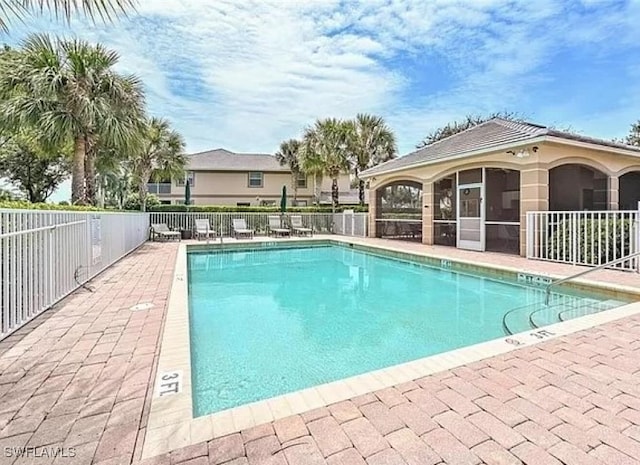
pixel 599 242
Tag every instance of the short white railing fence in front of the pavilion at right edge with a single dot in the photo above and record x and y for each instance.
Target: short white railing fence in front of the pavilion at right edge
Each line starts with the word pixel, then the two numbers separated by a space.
pixel 584 237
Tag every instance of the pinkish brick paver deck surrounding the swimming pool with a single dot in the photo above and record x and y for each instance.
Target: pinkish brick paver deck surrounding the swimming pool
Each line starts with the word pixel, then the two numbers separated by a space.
pixel 81 375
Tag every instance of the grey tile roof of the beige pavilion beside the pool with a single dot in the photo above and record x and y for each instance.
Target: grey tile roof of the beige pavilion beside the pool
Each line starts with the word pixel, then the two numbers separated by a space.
pixel 492 133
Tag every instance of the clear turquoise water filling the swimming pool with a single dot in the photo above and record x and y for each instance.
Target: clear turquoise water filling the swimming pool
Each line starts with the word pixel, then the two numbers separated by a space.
pixel 267 322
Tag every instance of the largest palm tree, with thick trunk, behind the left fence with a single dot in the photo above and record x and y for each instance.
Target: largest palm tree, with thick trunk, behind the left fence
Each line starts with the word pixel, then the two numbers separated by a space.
pixel 68 90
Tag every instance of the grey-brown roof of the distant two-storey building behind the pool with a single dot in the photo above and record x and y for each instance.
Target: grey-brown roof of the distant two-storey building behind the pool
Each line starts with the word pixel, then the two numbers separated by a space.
pixel 224 160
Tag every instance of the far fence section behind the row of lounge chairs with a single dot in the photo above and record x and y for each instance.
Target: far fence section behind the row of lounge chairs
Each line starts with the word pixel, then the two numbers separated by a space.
pixel 346 224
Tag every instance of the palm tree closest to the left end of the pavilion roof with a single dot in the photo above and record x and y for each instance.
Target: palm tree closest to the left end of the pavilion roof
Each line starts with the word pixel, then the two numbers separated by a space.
pixel 371 142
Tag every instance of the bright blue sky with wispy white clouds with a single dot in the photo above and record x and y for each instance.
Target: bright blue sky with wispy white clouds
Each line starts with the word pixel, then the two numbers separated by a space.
pixel 245 75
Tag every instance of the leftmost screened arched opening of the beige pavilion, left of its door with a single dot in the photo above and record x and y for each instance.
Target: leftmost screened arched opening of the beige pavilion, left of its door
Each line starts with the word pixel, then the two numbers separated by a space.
pixel 399 211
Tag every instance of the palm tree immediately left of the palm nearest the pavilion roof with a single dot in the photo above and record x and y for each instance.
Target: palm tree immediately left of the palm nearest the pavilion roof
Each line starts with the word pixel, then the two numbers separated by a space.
pixel 326 146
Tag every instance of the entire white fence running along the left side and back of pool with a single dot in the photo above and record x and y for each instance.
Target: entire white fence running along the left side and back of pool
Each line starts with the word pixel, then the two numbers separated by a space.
pixel 45 255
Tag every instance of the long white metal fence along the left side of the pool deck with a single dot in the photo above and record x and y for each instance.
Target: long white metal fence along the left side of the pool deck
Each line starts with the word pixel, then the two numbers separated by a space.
pixel 45 255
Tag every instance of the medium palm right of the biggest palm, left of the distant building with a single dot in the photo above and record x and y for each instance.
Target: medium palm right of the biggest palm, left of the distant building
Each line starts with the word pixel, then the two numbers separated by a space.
pixel 161 156
